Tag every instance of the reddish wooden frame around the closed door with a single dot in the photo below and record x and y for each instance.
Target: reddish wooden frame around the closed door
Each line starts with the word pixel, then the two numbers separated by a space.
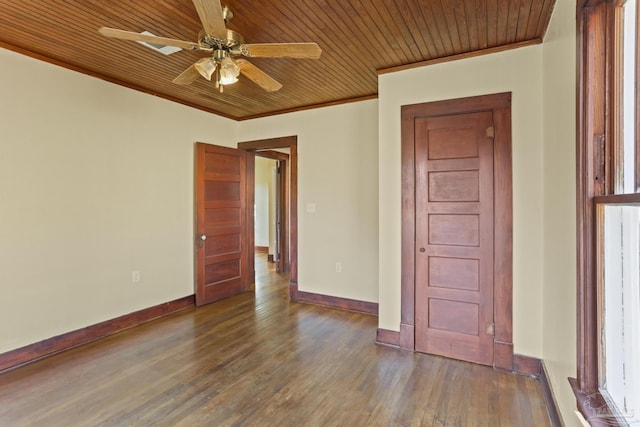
pixel 500 106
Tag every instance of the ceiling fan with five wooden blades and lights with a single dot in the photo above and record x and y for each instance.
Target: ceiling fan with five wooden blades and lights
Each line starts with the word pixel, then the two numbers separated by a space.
pixel 223 45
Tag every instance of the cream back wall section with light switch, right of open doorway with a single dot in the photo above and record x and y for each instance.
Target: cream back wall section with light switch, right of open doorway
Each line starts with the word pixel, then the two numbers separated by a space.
pixel 337 171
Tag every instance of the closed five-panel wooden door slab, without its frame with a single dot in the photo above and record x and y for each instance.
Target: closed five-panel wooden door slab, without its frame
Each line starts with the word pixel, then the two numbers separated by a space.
pixel 454 236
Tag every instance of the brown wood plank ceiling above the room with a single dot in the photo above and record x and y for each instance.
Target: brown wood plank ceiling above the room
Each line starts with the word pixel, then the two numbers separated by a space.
pixel 358 38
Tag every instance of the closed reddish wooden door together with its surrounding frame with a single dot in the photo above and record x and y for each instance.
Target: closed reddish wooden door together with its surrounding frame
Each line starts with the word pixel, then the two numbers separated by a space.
pixel 457 229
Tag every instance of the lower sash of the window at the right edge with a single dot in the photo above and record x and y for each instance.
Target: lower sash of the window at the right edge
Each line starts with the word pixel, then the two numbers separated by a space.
pixel 618 239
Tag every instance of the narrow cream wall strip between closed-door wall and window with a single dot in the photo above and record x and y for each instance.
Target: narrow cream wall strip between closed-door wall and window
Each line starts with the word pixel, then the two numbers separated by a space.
pixel 559 216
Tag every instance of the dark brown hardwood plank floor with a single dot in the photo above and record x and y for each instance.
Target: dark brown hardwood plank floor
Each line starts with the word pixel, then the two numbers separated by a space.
pixel 258 360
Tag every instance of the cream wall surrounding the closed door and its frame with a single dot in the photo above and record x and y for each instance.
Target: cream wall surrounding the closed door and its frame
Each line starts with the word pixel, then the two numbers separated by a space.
pixel 520 72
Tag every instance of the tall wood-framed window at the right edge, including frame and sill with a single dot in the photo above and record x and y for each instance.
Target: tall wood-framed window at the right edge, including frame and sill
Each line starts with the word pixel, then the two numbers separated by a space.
pixel 608 380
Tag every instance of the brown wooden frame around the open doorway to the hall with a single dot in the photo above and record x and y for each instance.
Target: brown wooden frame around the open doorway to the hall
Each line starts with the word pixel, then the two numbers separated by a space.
pixel 290 142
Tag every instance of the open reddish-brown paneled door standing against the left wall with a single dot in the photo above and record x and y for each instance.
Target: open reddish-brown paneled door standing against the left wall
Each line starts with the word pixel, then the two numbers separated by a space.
pixel 222 266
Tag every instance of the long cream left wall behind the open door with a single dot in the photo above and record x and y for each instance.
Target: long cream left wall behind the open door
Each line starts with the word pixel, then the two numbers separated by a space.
pixel 96 181
